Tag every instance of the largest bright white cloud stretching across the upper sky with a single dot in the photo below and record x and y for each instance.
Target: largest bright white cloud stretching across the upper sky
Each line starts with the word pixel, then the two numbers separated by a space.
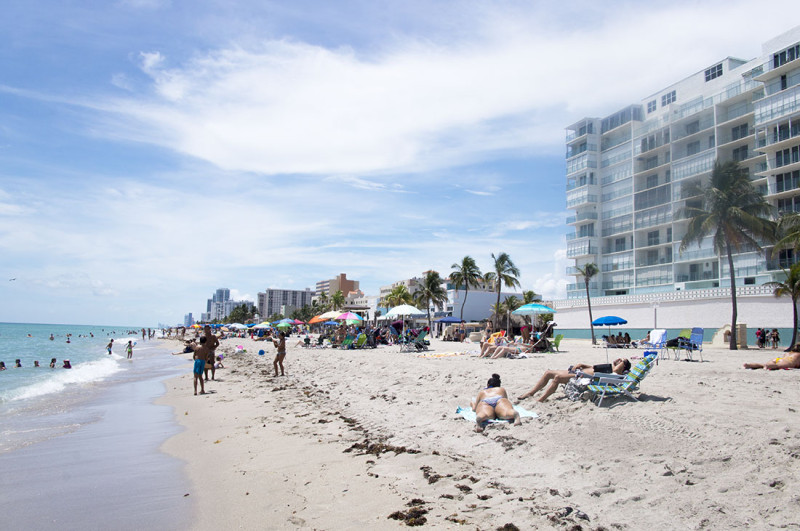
pixel 285 106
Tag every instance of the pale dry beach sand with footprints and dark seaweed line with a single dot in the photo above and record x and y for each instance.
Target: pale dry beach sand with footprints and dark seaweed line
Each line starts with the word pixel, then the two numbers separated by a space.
pixel 350 437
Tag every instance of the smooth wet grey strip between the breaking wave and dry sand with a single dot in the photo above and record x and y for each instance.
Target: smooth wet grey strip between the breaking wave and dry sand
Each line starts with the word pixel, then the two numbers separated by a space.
pixel 107 472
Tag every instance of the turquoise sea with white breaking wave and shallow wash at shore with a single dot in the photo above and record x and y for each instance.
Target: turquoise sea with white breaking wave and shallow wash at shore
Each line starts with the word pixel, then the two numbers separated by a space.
pixel 80 447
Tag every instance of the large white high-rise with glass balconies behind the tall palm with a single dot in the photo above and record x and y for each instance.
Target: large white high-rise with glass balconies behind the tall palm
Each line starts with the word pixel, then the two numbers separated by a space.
pixel 630 174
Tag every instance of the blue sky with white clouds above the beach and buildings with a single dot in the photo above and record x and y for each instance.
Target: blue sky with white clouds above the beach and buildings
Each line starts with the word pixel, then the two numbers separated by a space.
pixel 152 151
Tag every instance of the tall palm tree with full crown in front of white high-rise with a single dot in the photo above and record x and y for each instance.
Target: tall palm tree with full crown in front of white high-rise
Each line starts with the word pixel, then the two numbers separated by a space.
pixel 735 213
